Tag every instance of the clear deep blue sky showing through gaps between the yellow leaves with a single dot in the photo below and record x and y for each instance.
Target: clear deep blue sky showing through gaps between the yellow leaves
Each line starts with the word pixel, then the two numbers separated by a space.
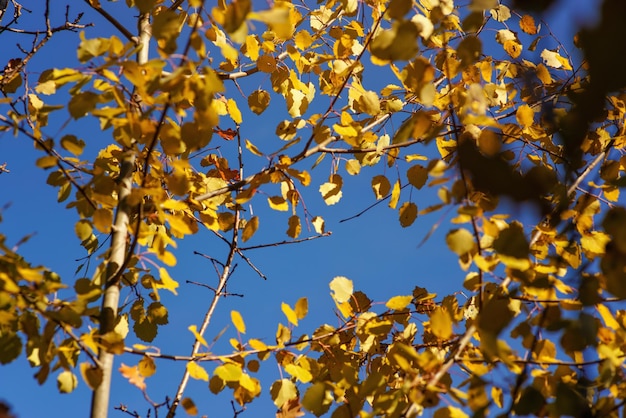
pixel 381 257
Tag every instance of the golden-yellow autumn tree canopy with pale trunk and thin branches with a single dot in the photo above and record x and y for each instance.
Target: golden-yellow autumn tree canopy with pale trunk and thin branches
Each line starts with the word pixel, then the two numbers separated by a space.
pixel 181 119
